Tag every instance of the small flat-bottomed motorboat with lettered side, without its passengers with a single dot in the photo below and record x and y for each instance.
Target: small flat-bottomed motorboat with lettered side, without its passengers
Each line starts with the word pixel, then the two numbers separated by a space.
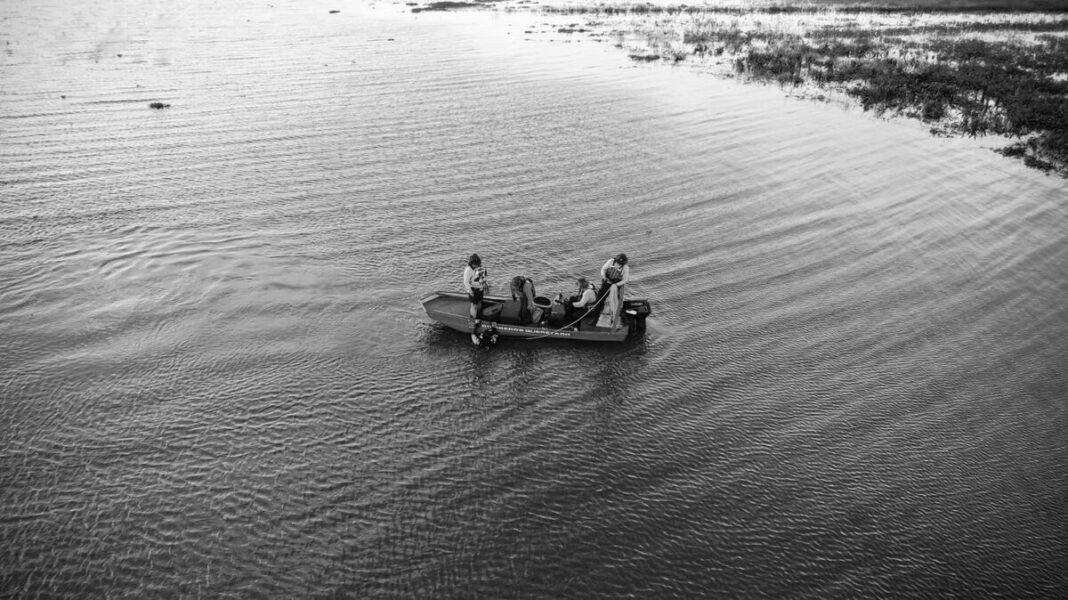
pixel 453 310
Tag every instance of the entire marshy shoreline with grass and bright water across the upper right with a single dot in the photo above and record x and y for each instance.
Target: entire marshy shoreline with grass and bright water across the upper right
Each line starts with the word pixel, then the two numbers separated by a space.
pixel 988 69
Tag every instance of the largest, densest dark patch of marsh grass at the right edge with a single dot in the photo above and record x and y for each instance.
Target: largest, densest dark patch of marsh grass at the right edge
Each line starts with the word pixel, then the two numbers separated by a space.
pixel 964 85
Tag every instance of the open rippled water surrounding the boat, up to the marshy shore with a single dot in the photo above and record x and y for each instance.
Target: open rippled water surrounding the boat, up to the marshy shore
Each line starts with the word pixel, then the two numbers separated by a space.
pixel 217 380
